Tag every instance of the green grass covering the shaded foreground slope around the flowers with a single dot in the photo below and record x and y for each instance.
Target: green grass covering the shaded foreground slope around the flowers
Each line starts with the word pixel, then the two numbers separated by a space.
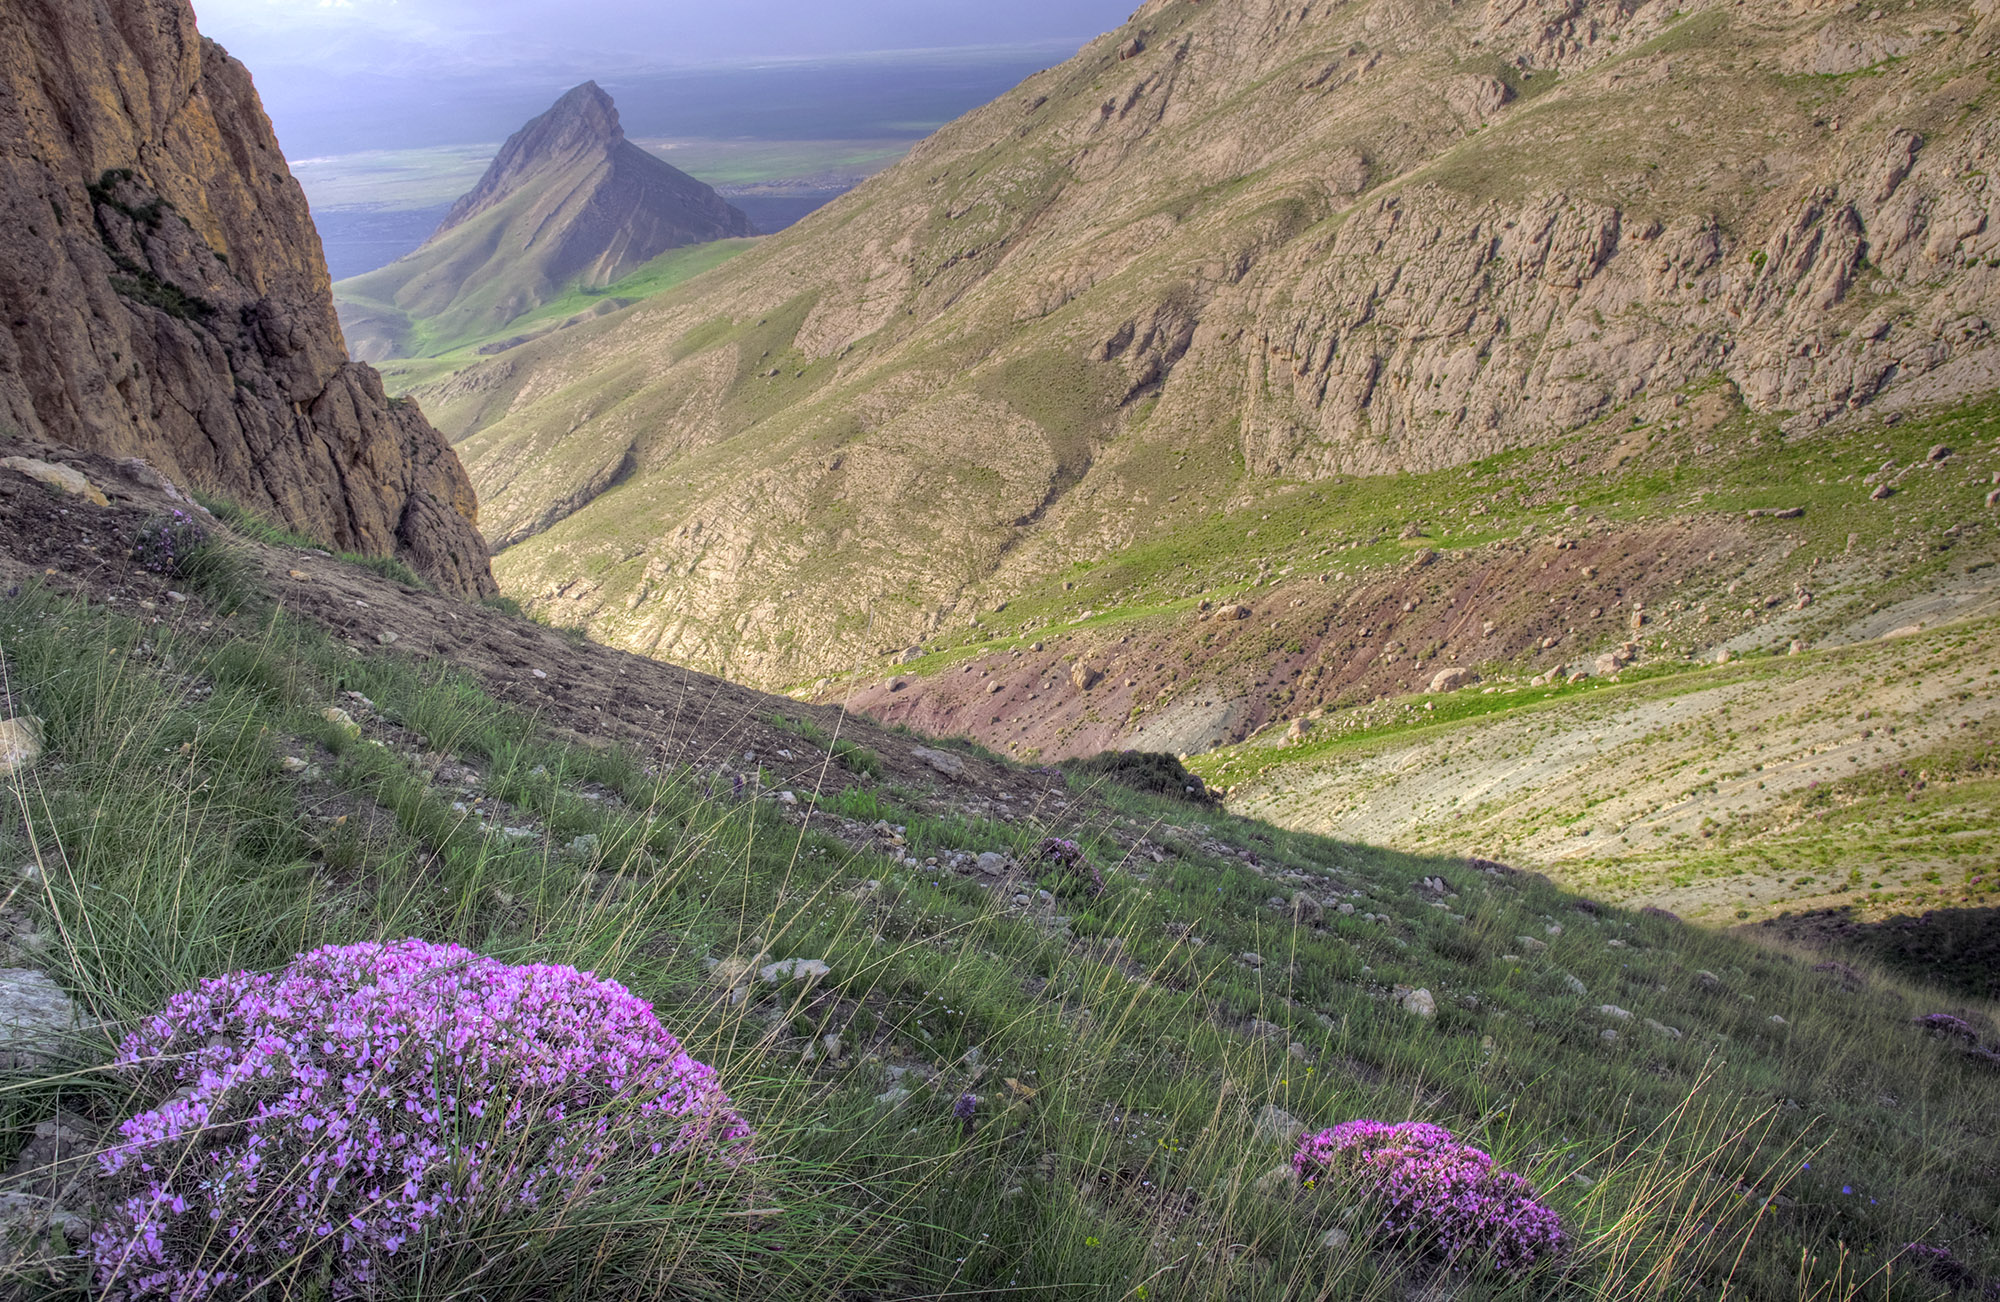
pixel 1119 1063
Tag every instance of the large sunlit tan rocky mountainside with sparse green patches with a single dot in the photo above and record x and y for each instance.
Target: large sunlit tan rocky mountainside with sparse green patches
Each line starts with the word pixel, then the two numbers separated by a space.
pixel 1239 253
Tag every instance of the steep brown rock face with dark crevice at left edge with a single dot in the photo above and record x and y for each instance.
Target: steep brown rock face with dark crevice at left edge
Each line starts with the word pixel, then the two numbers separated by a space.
pixel 165 293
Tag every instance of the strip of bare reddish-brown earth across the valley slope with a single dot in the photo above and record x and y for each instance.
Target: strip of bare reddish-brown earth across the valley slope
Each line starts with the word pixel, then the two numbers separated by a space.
pixel 1201 679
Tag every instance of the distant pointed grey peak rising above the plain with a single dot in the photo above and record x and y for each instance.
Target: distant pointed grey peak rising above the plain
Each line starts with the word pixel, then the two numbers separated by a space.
pixel 567 203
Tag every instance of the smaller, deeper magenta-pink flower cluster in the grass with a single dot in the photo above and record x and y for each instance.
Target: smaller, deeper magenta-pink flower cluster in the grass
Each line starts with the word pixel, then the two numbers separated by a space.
pixel 1435 1191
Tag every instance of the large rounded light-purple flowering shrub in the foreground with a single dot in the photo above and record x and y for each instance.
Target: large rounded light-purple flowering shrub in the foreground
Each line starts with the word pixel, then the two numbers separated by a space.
pixel 375 1099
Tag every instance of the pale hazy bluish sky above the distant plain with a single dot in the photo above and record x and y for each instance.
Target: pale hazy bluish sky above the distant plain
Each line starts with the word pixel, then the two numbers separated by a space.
pixel 623 35
